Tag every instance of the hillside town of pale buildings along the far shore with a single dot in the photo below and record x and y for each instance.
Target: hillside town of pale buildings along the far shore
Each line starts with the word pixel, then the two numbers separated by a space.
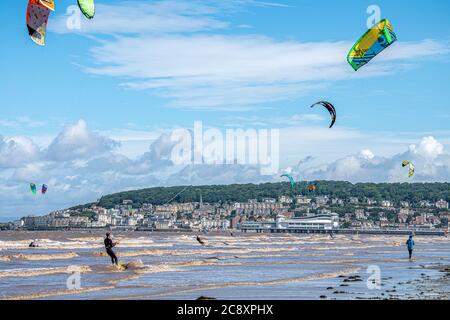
pixel 300 213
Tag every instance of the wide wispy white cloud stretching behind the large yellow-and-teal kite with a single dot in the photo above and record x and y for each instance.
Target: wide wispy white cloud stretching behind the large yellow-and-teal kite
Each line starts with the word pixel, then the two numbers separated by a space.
pixel 222 72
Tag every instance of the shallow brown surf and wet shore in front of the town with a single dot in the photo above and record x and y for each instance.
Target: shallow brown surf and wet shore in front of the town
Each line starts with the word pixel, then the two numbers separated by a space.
pixel 246 266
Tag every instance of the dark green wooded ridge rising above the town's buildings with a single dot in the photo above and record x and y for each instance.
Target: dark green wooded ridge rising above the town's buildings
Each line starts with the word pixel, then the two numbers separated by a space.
pixel 395 192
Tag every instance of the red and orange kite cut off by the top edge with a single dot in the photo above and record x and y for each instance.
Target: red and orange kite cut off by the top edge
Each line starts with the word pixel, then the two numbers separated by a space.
pixel 38 12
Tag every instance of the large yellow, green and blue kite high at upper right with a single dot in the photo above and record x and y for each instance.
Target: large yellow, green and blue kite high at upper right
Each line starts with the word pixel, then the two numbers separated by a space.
pixel 373 42
